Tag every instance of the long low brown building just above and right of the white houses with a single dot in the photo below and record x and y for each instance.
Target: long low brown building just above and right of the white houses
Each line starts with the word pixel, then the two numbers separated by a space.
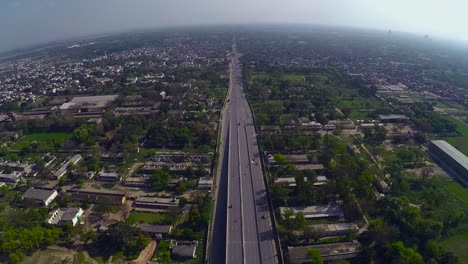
pixel 97 196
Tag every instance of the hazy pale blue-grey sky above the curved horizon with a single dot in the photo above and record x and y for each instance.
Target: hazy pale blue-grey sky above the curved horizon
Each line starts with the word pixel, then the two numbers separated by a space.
pixel 26 22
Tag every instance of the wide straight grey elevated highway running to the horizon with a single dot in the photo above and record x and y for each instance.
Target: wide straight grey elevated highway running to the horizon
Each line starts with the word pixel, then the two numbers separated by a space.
pixel 242 228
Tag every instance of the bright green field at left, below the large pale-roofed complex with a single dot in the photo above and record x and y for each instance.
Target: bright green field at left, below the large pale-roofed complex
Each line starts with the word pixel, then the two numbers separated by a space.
pixel 43 141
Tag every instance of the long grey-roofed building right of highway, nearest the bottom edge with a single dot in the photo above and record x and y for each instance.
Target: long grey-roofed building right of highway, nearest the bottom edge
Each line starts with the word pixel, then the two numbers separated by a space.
pixel 334 251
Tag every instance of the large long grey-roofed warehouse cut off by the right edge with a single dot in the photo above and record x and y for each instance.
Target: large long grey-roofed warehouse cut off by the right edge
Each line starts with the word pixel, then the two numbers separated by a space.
pixel 452 160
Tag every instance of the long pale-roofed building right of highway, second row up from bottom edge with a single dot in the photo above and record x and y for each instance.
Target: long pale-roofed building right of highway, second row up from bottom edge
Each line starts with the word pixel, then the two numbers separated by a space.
pixel 329 211
